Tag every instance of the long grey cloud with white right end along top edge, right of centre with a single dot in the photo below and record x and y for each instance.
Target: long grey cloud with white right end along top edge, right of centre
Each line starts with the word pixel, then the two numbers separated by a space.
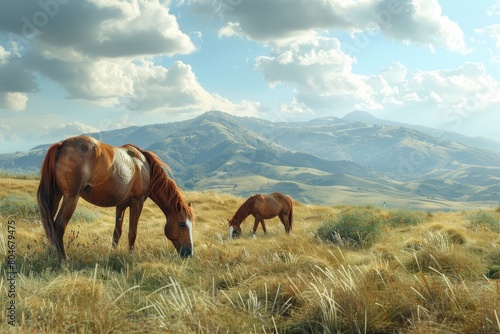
pixel 277 21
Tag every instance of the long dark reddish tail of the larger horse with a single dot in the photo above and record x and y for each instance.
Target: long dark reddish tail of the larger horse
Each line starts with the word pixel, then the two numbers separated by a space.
pixel 47 190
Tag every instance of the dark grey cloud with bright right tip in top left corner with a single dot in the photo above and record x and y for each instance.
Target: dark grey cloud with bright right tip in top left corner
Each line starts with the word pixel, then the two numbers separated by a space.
pixel 95 28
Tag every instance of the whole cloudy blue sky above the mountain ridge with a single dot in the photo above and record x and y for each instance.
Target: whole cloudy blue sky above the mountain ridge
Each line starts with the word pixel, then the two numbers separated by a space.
pixel 69 67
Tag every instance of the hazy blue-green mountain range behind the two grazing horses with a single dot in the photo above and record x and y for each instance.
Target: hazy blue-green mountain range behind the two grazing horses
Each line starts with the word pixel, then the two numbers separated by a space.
pixel 328 160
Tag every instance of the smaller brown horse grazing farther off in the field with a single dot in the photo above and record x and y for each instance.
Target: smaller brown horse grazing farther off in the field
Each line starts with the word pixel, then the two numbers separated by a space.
pixel 263 207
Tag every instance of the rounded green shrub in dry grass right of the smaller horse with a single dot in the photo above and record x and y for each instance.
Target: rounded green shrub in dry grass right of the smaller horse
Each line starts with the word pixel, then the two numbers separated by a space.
pixel 353 226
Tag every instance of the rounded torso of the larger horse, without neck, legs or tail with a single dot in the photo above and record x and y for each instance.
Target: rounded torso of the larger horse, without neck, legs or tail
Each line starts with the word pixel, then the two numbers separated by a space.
pixel 102 174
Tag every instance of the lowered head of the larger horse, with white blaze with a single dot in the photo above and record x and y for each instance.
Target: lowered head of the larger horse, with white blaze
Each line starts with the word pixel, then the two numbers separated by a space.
pixel 179 229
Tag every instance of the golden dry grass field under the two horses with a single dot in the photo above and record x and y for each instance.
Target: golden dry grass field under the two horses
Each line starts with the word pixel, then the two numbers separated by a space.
pixel 408 272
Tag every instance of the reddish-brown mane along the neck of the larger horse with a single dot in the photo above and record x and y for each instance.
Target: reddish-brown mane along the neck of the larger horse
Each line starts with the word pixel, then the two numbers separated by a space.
pixel 162 184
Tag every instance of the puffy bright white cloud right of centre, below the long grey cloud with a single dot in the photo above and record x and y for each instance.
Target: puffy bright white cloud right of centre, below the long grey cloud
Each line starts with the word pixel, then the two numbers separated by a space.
pixel 321 73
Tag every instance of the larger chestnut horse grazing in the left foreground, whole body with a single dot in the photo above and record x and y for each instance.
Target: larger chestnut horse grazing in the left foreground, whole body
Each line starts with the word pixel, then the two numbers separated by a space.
pixel 108 176
